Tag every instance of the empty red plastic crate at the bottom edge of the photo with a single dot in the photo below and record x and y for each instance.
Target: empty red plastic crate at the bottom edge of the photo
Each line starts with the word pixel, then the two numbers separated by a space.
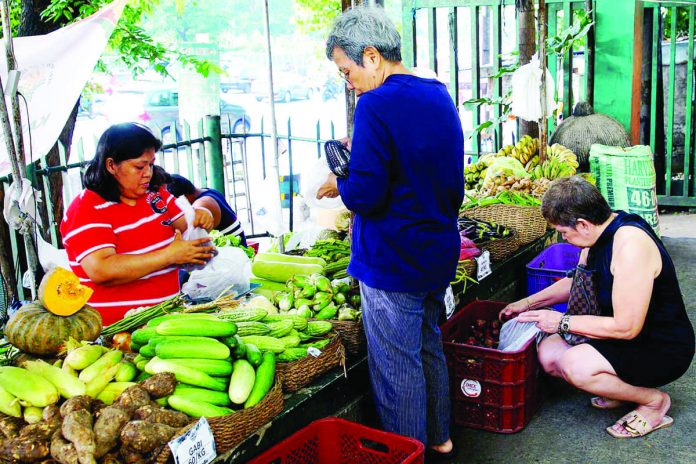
pixel 338 441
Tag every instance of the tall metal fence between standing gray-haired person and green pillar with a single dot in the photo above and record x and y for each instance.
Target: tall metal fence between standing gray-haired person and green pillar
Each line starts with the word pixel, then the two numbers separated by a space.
pixel 467 42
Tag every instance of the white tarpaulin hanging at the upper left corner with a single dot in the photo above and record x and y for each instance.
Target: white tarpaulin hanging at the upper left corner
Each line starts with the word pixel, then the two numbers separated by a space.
pixel 54 69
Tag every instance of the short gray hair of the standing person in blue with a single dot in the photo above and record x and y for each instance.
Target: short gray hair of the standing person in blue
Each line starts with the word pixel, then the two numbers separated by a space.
pixel 362 27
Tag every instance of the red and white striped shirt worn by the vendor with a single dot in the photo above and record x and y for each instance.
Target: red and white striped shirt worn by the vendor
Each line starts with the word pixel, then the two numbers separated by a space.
pixel 92 223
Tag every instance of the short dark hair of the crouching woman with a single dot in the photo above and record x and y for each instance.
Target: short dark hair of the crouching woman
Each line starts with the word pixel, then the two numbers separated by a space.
pixel 571 198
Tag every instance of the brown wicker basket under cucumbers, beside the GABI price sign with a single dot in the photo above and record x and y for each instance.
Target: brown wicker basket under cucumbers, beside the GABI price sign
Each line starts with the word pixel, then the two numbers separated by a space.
pixel 232 429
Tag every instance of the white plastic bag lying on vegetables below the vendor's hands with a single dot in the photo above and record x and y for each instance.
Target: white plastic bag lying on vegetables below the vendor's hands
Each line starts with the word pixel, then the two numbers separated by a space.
pixel 231 269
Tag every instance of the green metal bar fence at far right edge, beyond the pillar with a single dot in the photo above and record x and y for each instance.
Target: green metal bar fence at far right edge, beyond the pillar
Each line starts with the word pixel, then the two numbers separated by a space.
pixel 667 118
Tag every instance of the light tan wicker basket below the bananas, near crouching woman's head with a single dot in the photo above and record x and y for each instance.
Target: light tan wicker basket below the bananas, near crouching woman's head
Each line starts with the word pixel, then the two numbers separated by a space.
pixel 527 221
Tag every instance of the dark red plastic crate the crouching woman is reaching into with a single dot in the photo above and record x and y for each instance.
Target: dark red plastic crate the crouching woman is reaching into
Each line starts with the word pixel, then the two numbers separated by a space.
pixel 491 389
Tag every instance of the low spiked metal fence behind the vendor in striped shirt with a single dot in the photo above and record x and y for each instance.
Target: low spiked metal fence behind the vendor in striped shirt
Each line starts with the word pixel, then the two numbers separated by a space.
pixel 242 161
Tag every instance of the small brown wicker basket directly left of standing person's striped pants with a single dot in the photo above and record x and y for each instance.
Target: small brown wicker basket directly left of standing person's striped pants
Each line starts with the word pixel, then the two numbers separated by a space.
pixel 297 374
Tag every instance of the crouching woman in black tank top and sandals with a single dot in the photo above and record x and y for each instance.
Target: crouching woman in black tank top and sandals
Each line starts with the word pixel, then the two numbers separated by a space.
pixel 642 338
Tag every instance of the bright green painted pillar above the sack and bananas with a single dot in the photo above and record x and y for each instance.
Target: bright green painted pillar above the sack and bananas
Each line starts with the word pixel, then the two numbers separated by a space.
pixel 614 58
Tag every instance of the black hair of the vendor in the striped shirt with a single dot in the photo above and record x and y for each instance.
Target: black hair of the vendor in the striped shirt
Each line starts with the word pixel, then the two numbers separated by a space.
pixel 120 142
